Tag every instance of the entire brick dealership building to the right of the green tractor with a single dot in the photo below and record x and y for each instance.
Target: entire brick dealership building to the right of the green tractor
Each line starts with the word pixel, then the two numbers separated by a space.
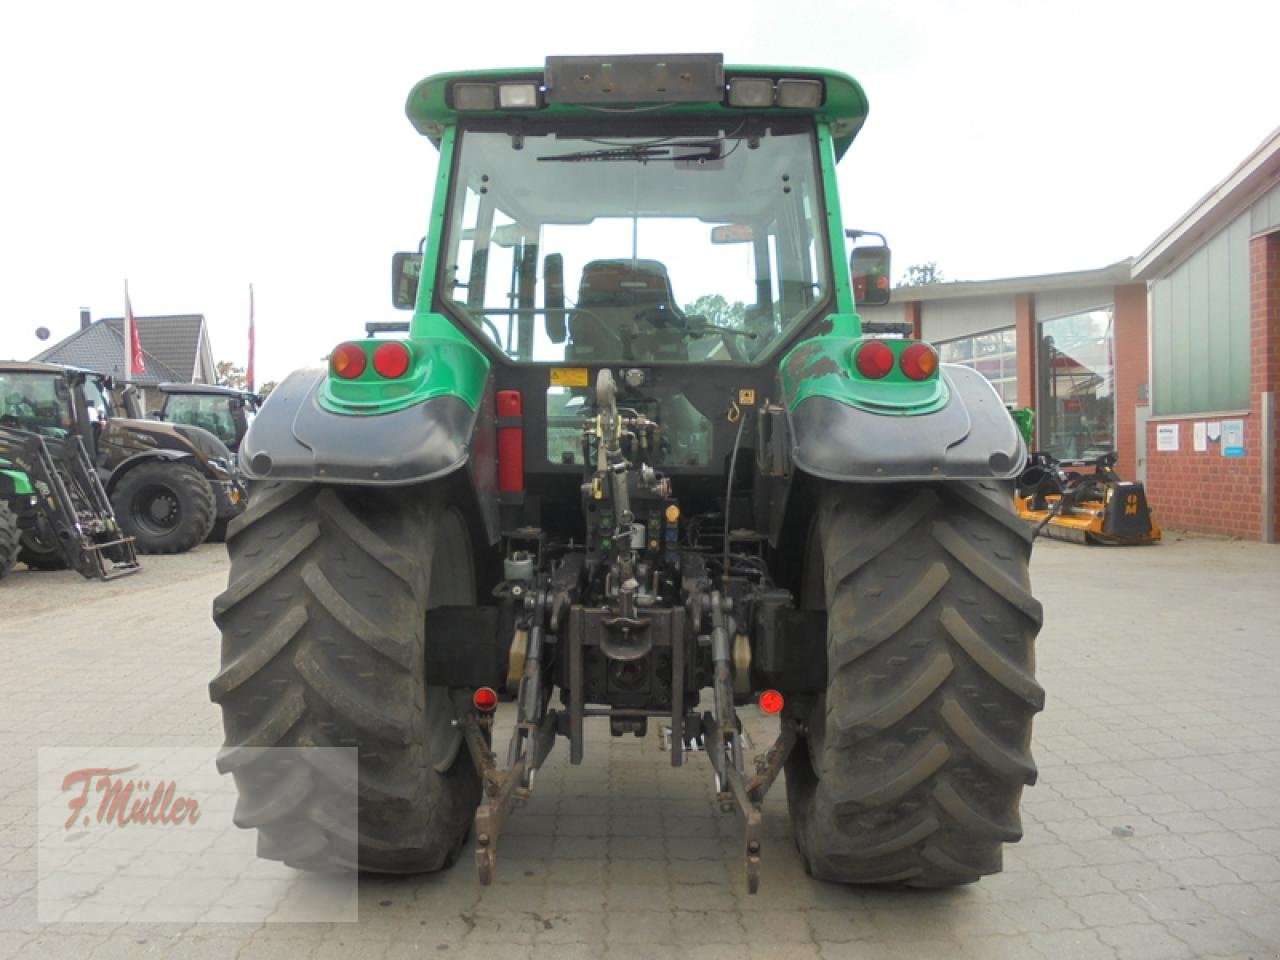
pixel 1171 359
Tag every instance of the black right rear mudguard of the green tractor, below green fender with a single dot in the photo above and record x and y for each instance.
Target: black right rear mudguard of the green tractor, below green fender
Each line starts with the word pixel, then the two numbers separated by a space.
pixel 971 438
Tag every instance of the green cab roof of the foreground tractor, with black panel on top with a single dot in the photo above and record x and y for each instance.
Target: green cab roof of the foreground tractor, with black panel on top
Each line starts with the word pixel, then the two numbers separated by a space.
pixel 431 104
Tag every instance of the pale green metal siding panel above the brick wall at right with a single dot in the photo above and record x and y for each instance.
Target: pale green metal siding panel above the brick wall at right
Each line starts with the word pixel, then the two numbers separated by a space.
pixel 1200 328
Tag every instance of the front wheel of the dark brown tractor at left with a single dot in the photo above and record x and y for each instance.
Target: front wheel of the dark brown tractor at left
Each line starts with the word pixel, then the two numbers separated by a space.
pixel 167 506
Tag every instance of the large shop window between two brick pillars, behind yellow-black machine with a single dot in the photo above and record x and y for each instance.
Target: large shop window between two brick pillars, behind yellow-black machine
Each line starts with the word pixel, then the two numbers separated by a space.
pixel 1076 409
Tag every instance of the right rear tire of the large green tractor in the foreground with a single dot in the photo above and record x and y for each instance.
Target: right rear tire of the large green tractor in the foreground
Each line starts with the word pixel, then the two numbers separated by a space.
pixel 915 761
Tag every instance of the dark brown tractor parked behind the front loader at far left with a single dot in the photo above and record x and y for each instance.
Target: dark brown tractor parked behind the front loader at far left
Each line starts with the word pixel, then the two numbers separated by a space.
pixel 168 484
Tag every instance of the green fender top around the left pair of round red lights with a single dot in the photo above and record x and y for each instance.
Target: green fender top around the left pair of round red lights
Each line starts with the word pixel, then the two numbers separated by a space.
pixel 446 365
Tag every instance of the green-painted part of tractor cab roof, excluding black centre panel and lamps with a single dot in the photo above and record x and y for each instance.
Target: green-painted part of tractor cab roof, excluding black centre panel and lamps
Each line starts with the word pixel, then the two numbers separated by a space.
pixel 844 108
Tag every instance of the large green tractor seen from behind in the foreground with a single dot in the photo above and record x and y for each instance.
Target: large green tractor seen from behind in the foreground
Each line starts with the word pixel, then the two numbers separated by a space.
pixel 634 460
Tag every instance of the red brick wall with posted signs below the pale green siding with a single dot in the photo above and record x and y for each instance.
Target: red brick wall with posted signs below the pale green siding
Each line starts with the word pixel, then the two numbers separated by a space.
pixel 1208 492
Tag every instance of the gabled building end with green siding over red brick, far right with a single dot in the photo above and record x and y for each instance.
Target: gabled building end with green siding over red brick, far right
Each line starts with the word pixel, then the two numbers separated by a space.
pixel 1214 284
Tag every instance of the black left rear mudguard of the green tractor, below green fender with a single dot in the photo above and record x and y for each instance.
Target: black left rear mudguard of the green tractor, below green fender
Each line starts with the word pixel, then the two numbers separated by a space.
pixel 295 438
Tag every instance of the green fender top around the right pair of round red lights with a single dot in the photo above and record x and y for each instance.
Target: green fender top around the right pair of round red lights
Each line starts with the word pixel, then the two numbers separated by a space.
pixel 824 367
